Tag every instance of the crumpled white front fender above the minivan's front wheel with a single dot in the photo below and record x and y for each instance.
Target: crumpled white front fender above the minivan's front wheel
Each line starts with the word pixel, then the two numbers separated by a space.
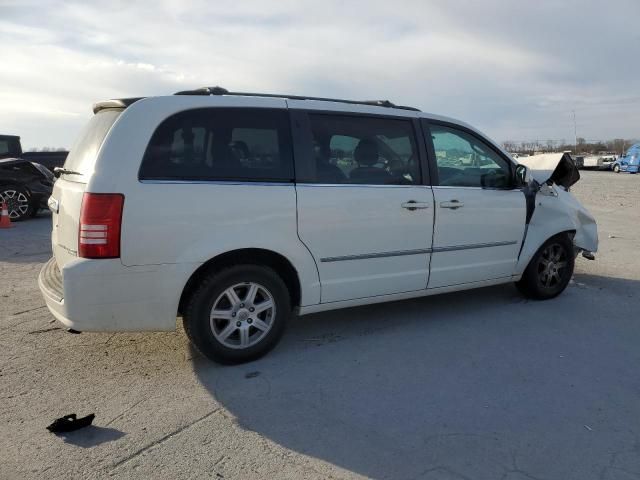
pixel 557 211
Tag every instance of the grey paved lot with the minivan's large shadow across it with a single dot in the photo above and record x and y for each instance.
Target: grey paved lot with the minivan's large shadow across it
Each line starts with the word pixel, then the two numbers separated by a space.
pixel 473 385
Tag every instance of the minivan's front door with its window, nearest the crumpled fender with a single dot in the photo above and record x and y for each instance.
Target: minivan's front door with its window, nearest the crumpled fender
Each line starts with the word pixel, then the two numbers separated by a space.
pixel 480 216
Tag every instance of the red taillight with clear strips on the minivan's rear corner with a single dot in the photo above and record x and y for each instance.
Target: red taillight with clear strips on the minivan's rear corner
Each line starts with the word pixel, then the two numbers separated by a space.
pixel 100 220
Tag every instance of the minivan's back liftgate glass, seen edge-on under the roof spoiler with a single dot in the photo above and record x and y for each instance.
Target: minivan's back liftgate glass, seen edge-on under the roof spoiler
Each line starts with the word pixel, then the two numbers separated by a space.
pixel 82 157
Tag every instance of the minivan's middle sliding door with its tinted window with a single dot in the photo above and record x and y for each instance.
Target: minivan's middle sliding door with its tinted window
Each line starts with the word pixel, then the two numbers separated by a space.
pixel 362 211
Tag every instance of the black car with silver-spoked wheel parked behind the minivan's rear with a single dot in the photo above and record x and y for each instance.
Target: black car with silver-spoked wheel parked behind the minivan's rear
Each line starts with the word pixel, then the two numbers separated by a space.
pixel 25 187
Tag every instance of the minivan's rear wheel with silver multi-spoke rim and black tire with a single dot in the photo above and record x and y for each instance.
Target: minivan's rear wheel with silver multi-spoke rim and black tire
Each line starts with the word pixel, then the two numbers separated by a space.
pixel 237 314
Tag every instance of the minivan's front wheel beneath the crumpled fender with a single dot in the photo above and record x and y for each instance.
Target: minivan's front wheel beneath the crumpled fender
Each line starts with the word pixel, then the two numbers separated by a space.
pixel 550 269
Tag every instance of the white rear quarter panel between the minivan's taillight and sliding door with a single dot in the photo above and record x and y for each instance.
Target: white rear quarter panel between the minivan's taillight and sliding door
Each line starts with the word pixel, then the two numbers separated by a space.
pixel 191 223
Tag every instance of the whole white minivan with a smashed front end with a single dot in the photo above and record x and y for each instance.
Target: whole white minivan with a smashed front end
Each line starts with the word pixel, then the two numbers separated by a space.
pixel 236 210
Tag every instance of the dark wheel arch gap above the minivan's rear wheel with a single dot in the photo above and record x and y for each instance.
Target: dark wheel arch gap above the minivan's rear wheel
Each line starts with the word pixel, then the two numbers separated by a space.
pixel 244 256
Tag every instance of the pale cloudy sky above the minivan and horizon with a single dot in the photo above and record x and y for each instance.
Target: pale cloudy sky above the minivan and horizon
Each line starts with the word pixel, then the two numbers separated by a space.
pixel 515 69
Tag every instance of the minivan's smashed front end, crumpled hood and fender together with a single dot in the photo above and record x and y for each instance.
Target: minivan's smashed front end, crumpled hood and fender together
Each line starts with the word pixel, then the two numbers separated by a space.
pixel 552 208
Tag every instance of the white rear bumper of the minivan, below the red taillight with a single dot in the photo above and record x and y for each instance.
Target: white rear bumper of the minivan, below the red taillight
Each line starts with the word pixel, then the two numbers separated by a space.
pixel 105 296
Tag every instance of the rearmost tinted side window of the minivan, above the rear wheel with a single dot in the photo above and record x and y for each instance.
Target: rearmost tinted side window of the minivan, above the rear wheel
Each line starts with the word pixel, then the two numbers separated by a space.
pixel 221 144
